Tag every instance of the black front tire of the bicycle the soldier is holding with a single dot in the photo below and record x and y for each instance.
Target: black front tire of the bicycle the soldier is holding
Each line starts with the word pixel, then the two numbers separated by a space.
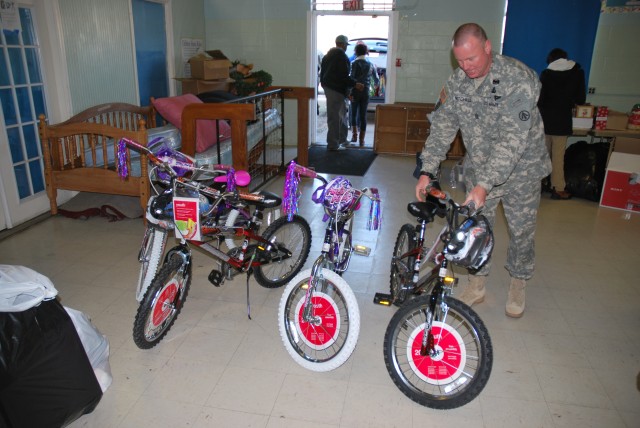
pixel 409 382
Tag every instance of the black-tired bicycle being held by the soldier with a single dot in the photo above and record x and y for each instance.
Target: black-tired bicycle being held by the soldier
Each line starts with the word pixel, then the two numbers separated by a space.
pixel 437 350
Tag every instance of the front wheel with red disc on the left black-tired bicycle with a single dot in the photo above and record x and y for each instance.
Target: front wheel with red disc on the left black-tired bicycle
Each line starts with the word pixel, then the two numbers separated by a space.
pixel 162 302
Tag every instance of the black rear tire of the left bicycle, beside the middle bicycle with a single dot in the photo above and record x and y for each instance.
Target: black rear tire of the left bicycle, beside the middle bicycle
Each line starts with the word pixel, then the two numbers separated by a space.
pixel 268 281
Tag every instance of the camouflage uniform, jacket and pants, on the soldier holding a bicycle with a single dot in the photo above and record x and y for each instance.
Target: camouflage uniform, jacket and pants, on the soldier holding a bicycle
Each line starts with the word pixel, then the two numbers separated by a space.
pixel 503 134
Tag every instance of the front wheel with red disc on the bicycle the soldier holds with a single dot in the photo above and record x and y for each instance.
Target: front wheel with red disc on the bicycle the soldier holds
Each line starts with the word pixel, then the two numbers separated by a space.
pixel 458 371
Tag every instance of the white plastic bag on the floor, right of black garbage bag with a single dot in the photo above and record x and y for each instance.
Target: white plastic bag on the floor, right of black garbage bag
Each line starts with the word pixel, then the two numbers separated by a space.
pixel 95 345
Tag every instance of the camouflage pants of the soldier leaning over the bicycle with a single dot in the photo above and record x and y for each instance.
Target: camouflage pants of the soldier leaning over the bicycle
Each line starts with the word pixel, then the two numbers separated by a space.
pixel 521 212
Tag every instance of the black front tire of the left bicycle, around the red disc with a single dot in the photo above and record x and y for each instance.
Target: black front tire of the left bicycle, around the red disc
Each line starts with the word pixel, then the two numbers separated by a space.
pixel 172 264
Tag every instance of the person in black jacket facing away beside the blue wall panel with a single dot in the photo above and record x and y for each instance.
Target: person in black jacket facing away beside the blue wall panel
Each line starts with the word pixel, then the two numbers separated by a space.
pixel 563 87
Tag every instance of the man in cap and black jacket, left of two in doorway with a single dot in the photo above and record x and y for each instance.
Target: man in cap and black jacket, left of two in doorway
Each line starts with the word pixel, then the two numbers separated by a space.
pixel 337 83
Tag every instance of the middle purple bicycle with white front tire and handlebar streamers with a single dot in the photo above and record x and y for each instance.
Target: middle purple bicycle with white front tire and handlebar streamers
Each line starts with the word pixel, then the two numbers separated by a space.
pixel 318 315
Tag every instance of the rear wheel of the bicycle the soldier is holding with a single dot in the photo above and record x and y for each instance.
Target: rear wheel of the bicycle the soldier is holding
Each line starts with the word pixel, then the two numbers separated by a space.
pixel 402 268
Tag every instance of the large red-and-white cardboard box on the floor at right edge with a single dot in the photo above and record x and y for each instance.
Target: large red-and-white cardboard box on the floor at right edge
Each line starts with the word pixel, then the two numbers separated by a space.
pixel 621 189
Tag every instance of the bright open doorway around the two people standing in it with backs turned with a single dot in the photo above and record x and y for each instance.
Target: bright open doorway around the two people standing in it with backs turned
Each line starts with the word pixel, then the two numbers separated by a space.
pixel 373 30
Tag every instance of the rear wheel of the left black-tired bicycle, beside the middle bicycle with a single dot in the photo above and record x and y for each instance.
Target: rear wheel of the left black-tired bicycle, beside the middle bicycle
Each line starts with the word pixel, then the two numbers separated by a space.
pixel 289 236
